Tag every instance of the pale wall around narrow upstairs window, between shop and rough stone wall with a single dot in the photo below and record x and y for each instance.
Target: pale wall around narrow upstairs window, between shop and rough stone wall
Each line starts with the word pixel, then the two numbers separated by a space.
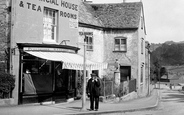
pixel 97 54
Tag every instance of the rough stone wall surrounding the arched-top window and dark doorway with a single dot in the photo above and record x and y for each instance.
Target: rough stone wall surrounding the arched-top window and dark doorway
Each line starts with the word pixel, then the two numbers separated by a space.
pixel 128 58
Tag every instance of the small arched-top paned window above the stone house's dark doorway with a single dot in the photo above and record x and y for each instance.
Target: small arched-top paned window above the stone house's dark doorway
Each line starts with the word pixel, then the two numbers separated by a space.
pixel 120 44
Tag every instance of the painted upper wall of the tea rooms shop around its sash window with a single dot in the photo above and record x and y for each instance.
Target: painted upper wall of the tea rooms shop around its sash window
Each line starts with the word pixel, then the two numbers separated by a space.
pixel 28 20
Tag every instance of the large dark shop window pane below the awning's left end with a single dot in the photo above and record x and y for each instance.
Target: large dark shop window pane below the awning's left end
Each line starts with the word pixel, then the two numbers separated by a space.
pixel 37 76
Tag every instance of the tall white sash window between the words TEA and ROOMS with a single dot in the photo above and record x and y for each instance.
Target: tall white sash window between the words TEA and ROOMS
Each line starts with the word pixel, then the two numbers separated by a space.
pixel 50 25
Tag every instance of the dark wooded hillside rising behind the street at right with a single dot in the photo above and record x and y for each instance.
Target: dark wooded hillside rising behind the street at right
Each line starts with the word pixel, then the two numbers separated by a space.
pixel 168 54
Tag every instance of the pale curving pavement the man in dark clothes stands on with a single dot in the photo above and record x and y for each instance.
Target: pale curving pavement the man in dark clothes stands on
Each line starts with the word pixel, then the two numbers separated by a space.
pixel 74 108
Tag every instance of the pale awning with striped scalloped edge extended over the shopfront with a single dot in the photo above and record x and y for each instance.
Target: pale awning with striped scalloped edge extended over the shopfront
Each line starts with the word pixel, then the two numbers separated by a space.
pixel 70 60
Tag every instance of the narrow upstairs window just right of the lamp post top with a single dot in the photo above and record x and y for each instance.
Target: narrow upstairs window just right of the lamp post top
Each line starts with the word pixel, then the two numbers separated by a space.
pixel 89 40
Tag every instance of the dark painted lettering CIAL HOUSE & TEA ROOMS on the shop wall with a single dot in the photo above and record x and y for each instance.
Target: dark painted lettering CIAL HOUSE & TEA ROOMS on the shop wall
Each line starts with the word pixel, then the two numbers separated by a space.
pixel 59 3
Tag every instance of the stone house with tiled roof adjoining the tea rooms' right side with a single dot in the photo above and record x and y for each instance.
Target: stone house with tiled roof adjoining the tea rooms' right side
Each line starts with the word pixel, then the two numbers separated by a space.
pixel 117 32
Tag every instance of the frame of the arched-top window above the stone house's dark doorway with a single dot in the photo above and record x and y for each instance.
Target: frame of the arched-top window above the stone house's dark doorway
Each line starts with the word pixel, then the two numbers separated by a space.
pixel 120 44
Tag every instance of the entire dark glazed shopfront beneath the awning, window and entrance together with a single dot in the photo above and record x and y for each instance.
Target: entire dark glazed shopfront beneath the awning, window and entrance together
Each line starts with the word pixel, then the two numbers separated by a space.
pixel 42 77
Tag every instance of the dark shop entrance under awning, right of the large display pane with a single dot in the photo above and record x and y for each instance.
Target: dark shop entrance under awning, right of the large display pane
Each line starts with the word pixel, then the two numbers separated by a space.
pixel 64 83
